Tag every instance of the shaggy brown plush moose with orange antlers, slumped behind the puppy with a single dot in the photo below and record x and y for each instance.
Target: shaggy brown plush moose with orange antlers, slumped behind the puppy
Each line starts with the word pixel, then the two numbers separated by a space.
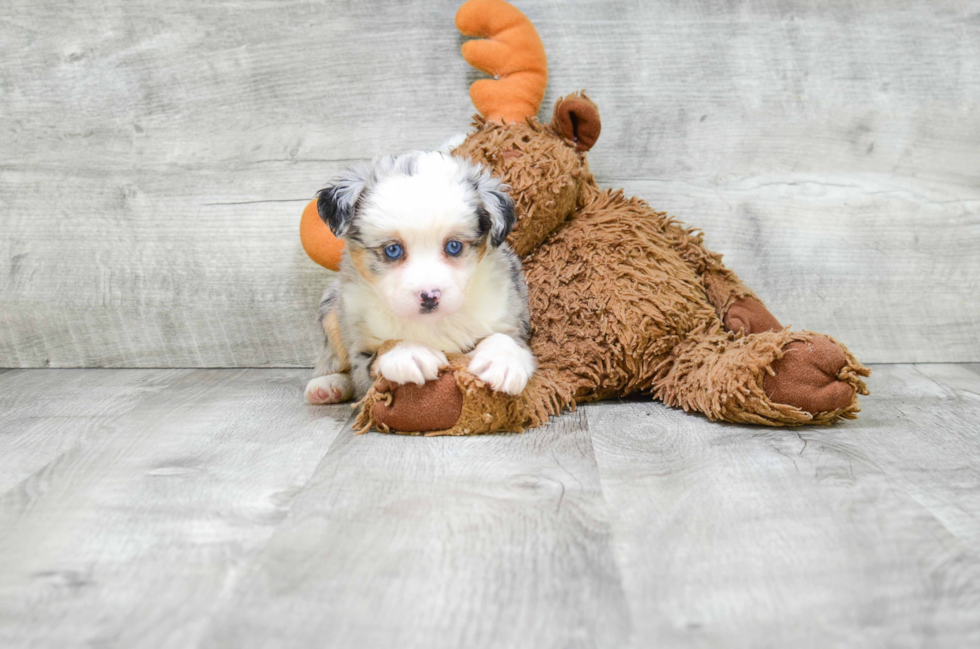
pixel 624 300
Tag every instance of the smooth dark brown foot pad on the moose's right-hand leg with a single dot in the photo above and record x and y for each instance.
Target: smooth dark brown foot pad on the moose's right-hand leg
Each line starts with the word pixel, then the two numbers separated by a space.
pixel 807 377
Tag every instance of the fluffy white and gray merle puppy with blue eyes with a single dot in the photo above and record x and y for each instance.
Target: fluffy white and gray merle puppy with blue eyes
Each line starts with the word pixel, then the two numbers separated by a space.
pixel 425 264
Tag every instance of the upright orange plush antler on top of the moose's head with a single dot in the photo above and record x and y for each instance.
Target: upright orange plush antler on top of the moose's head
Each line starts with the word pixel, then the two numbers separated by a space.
pixel 511 51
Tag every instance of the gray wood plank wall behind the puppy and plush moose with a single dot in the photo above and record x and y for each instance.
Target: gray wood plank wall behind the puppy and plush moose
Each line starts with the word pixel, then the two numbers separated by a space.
pixel 154 158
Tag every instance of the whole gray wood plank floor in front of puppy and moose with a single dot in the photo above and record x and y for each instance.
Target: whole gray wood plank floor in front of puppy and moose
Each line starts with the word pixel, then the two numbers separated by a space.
pixel 213 508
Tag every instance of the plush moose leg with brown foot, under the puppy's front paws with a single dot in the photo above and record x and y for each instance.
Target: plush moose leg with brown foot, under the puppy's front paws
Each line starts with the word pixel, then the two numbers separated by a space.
pixel 458 403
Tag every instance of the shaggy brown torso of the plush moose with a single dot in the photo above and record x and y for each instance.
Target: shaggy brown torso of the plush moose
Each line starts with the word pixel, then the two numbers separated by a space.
pixel 611 294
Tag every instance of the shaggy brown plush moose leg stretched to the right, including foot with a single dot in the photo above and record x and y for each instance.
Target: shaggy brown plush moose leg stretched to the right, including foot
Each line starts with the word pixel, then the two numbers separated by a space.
pixel 775 378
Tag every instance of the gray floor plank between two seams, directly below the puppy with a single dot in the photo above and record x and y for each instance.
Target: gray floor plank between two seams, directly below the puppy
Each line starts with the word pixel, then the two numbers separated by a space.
pixel 454 542
